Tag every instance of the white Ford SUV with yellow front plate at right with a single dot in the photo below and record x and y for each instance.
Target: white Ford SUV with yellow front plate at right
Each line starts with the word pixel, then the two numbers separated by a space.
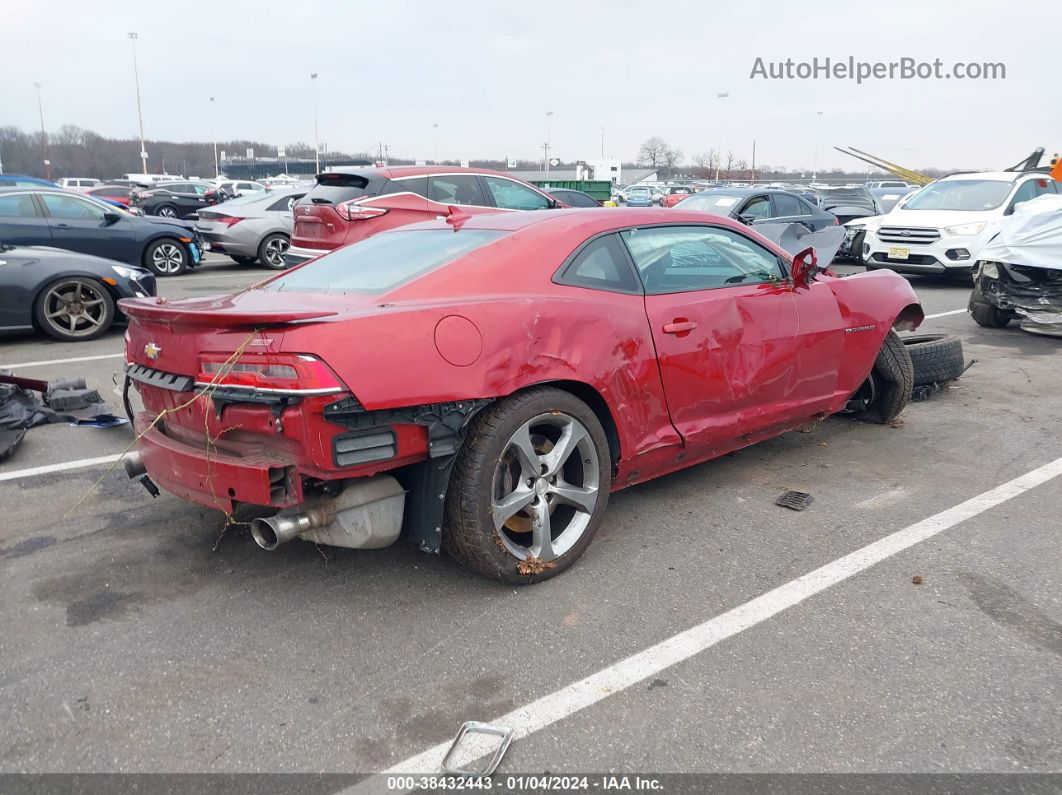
pixel 943 229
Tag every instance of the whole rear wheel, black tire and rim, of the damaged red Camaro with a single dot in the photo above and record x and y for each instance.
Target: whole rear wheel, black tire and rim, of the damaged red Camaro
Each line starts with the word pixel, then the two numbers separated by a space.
pixel 490 473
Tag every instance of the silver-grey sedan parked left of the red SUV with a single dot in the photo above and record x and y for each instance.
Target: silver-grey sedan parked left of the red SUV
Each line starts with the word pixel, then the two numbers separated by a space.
pixel 252 229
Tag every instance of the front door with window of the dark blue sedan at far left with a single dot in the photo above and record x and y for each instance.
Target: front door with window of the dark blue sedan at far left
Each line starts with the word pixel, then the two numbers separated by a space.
pixel 82 226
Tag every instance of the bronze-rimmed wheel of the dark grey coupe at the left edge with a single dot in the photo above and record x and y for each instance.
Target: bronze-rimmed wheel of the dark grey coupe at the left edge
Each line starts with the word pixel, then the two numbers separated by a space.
pixel 75 309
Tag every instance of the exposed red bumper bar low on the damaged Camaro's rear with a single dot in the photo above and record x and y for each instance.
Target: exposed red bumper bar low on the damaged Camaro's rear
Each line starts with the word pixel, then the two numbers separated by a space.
pixel 216 479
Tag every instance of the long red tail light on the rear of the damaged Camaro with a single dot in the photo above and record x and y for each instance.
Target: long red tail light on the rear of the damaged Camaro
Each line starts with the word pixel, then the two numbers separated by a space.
pixel 287 374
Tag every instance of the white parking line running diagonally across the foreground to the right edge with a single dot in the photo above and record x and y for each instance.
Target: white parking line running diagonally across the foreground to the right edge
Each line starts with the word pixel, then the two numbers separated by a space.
pixel 640 667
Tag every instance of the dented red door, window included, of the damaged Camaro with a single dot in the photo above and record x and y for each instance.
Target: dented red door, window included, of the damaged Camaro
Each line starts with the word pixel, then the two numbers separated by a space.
pixel 741 351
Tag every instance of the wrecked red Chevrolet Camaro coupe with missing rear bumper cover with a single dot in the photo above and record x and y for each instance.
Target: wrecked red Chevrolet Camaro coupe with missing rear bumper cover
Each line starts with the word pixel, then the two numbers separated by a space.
pixel 482 385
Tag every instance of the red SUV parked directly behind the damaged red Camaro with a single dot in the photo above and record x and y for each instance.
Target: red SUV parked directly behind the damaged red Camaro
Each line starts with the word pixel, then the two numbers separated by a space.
pixel 352 204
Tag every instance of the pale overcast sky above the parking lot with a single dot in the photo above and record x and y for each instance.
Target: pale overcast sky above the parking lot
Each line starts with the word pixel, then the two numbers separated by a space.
pixel 488 73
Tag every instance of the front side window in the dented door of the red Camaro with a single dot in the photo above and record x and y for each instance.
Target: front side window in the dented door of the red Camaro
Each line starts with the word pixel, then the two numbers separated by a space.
pixel 676 260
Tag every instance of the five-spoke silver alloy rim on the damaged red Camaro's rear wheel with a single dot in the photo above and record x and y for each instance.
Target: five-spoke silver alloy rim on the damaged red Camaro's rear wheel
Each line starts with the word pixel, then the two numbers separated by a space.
pixel 545 488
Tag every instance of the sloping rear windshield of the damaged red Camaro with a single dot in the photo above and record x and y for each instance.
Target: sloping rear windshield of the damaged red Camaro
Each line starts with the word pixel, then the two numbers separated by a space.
pixel 384 262
